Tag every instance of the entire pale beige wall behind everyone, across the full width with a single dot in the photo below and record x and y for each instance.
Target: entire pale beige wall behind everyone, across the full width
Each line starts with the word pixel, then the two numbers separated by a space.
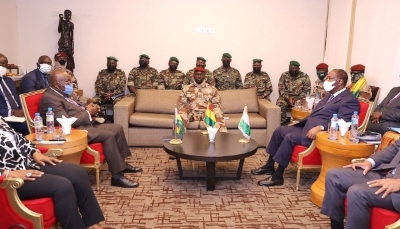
pixel 274 30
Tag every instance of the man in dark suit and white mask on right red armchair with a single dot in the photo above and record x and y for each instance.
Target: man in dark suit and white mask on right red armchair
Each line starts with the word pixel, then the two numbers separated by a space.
pixel 338 101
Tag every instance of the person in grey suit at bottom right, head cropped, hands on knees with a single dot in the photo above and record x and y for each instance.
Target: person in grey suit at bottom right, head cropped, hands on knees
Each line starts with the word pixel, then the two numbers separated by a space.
pixel 372 183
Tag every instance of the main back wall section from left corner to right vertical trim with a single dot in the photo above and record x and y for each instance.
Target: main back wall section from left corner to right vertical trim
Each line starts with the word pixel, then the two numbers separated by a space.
pixel 275 31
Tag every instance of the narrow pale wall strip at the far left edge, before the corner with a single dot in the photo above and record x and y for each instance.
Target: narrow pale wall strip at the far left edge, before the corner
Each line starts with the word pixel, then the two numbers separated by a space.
pixel 9 30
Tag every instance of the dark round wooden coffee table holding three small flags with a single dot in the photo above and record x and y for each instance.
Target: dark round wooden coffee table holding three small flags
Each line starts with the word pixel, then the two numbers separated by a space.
pixel 197 147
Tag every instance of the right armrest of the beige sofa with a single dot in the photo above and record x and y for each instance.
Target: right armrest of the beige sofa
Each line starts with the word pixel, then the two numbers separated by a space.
pixel 272 113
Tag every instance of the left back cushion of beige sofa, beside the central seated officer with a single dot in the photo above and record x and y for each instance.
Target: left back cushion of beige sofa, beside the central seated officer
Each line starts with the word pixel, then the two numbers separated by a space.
pixel 156 101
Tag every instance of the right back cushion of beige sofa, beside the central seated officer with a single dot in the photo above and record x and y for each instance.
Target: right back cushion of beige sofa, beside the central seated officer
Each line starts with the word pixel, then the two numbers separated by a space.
pixel 233 101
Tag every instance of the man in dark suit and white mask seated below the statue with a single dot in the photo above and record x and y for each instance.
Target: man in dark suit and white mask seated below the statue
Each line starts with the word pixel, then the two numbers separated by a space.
pixel 38 78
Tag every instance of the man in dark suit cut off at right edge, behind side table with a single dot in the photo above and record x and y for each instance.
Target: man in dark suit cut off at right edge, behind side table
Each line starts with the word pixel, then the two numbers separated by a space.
pixel 387 113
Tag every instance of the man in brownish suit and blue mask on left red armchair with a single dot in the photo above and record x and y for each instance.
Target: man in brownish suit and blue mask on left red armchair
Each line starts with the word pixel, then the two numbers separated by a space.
pixel 112 136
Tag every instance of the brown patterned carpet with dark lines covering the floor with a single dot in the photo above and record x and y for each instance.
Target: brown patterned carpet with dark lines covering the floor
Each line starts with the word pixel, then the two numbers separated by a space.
pixel 164 201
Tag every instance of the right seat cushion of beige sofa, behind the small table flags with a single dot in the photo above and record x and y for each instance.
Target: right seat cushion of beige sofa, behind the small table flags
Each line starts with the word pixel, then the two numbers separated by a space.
pixel 256 121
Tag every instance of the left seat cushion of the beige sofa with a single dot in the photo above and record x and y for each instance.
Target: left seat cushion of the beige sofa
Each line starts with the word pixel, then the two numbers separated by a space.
pixel 164 121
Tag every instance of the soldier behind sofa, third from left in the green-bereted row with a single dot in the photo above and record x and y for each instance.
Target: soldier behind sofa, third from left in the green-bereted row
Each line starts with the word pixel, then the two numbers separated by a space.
pixel 171 78
